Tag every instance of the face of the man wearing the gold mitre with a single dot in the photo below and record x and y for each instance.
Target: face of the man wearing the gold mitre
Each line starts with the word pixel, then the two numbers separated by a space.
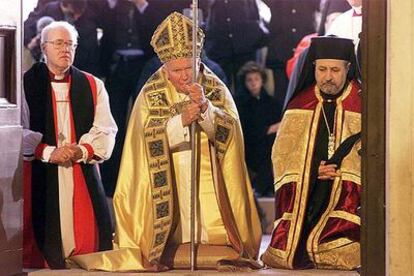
pixel 179 72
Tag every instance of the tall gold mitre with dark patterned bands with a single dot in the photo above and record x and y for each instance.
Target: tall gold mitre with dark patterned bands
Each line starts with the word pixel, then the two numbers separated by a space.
pixel 173 38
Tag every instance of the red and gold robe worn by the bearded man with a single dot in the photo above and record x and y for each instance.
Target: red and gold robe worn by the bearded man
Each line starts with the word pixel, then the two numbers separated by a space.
pixel 333 241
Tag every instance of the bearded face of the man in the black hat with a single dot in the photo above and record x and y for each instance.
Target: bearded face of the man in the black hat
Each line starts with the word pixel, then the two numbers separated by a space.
pixel 330 75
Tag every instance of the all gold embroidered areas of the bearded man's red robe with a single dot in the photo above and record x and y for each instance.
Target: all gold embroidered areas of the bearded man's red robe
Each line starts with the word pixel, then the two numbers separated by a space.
pixel 286 173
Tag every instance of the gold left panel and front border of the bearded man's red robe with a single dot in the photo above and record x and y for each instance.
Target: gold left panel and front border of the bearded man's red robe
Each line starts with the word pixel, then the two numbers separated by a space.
pixel 290 165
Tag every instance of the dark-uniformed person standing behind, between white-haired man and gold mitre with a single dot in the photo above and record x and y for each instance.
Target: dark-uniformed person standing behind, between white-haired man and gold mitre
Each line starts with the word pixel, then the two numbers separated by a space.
pixel 126 50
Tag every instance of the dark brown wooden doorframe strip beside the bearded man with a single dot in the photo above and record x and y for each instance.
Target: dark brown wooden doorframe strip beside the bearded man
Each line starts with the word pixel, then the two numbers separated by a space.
pixel 373 43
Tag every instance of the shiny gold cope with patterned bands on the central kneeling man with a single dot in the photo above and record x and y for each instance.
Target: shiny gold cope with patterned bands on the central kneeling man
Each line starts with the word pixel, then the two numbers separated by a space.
pixel 145 199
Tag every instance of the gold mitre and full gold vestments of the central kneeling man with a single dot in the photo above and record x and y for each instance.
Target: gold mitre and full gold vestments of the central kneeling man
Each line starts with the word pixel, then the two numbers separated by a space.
pixel 152 197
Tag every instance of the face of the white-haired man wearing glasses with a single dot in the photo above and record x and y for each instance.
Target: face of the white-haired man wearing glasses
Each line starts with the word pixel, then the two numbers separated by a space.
pixel 59 49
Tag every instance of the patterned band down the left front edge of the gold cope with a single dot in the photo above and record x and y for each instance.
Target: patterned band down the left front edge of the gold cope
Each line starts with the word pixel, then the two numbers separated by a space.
pixel 158 163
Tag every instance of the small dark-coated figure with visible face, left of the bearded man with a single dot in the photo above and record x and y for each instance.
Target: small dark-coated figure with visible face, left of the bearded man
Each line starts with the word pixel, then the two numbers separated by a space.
pixel 259 114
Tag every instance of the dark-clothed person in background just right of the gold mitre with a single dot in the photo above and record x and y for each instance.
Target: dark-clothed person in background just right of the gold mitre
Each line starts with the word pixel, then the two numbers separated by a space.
pixel 234 33
